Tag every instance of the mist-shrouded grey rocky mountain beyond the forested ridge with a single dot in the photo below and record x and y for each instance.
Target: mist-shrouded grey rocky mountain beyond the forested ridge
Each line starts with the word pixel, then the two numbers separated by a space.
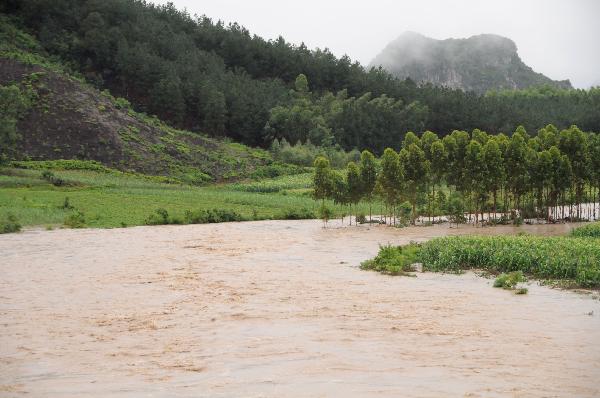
pixel 479 63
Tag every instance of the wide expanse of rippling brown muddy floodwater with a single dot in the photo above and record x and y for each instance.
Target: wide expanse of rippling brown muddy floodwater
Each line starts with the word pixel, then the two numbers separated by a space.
pixel 276 309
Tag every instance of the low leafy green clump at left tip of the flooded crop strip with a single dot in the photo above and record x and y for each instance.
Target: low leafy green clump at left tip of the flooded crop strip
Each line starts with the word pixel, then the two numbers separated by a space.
pixel 393 260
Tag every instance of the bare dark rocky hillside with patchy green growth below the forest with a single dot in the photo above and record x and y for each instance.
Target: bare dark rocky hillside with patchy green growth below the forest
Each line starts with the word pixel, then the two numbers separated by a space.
pixel 68 119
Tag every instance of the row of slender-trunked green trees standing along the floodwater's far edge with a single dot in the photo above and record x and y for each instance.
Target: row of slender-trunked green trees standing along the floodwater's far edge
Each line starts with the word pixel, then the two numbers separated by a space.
pixel 549 175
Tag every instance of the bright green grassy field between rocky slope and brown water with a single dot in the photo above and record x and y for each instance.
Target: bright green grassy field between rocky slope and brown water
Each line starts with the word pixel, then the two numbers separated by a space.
pixel 109 198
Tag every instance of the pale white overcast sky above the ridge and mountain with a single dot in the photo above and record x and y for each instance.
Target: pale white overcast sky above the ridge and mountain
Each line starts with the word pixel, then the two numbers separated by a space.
pixel 559 38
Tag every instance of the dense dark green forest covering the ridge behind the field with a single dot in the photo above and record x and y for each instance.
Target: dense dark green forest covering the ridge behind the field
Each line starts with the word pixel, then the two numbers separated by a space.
pixel 204 76
